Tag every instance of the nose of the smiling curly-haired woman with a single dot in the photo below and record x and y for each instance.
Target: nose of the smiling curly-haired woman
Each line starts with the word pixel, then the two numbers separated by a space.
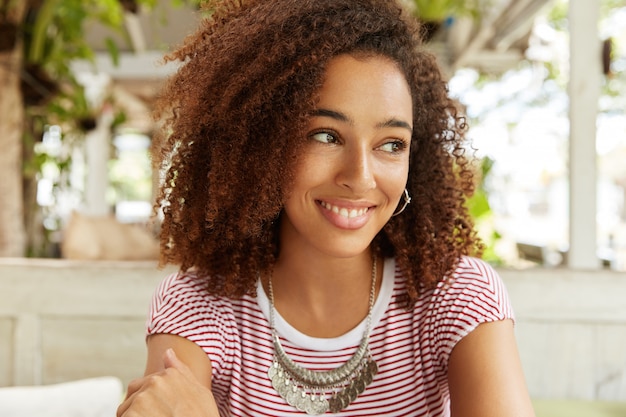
pixel 357 170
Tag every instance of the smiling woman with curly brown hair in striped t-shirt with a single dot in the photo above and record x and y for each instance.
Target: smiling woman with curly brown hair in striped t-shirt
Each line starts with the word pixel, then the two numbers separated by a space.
pixel 313 197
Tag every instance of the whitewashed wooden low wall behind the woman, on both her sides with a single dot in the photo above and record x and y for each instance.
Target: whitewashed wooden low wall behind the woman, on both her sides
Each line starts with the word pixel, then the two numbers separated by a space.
pixel 62 320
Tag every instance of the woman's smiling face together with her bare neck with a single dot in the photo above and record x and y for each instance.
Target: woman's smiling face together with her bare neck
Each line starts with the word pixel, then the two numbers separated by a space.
pixel 356 159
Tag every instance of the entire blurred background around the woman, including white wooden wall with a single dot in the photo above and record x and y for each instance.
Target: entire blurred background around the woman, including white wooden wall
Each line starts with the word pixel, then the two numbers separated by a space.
pixel 543 85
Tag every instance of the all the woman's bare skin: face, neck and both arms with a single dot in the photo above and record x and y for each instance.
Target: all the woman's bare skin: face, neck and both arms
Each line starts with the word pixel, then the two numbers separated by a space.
pixel 352 161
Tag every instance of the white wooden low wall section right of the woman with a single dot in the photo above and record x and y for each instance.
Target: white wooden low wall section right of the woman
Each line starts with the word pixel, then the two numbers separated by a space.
pixel 571 330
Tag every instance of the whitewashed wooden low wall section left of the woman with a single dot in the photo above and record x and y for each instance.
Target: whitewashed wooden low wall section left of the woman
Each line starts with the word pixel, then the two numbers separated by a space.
pixel 63 320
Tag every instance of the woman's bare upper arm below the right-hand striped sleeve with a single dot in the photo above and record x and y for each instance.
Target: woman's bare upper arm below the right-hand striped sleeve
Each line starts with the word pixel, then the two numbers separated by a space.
pixel 485 375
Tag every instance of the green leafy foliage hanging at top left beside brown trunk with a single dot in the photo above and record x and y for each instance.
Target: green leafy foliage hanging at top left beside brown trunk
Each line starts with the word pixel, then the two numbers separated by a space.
pixel 54 36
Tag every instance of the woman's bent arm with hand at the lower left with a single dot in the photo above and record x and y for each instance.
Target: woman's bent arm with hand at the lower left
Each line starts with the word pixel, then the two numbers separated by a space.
pixel 177 382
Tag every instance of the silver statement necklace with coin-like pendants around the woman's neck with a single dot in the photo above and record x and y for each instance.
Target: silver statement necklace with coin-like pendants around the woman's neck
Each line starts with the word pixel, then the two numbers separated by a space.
pixel 316 392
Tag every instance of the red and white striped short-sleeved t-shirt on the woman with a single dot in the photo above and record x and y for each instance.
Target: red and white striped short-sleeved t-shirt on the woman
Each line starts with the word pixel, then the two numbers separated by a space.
pixel 411 348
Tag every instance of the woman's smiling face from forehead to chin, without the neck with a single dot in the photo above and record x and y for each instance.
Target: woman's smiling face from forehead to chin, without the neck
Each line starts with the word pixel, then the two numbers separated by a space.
pixel 355 164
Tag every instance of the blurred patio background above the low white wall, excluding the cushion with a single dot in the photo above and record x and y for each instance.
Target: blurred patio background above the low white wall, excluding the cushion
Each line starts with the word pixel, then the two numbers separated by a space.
pixel 78 79
